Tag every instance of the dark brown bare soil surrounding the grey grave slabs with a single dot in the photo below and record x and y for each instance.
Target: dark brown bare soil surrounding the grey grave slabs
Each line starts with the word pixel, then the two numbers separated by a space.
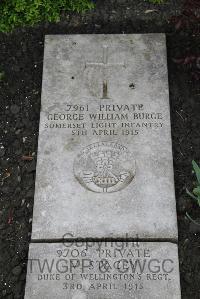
pixel 21 61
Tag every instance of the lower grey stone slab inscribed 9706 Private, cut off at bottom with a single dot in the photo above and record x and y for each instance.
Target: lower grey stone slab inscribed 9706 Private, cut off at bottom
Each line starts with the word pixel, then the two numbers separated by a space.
pixel 104 271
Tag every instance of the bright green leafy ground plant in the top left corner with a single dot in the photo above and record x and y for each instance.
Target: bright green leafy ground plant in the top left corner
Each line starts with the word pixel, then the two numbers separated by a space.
pixel 20 13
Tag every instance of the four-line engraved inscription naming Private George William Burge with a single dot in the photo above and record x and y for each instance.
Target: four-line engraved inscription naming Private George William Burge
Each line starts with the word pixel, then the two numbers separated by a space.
pixel 112 119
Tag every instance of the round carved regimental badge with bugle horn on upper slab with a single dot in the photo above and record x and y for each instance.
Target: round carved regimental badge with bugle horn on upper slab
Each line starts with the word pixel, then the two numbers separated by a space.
pixel 104 167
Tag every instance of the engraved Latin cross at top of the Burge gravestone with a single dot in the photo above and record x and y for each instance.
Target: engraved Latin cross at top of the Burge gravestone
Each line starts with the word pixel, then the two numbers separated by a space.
pixel 104 65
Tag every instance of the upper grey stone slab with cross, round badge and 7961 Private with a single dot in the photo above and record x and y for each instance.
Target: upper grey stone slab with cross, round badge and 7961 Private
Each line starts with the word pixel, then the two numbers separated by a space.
pixel 104 160
